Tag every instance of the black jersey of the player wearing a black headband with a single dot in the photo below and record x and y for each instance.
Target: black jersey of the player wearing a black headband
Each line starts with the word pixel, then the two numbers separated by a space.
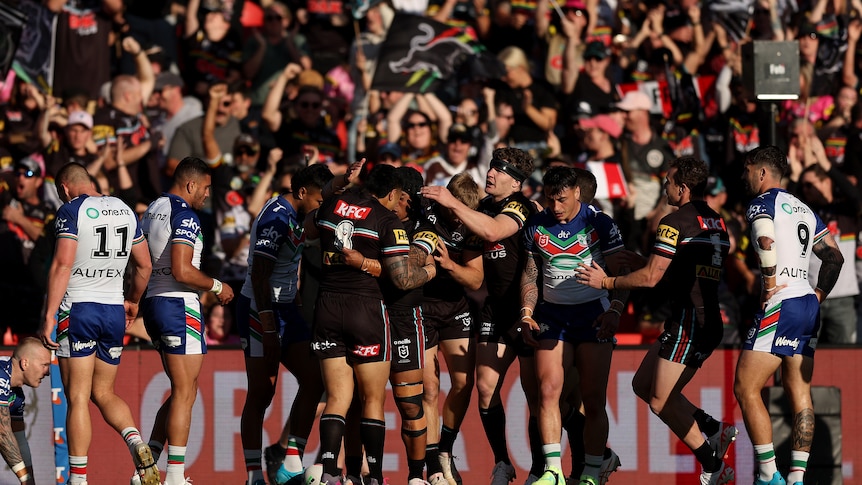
pixel 504 260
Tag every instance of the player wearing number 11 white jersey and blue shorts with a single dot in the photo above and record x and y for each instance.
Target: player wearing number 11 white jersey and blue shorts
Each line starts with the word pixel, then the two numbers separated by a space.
pixel 96 238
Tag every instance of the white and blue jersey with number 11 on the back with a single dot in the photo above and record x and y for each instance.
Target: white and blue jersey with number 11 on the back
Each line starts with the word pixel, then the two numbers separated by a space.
pixel 105 229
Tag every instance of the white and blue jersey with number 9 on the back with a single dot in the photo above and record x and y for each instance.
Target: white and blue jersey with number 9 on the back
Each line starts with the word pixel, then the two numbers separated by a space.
pixel 797 230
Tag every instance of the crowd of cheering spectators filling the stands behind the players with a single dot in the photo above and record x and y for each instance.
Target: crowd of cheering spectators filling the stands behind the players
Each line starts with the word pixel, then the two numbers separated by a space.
pixel 259 89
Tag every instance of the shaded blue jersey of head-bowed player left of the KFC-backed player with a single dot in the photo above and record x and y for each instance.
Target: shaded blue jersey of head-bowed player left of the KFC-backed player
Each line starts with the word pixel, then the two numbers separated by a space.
pixel 277 234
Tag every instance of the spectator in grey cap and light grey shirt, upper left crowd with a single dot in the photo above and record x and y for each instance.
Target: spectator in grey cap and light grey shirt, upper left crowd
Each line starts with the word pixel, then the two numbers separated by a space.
pixel 178 109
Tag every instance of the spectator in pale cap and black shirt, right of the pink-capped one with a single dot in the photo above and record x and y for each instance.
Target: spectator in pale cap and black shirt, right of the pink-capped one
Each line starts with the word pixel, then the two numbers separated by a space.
pixel 645 156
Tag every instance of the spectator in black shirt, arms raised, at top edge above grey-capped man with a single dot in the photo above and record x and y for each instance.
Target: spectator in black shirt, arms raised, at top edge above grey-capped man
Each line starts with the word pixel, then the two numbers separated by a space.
pixel 210 53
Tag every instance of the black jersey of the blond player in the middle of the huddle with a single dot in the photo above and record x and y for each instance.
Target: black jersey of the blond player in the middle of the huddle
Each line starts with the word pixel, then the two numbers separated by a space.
pixel 457 240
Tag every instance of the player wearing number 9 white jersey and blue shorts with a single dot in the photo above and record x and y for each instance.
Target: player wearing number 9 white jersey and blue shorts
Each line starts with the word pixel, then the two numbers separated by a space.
pixel 785 233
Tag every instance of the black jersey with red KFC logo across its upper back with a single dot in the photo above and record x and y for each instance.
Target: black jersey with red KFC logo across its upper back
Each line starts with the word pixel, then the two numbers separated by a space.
pixel 356 220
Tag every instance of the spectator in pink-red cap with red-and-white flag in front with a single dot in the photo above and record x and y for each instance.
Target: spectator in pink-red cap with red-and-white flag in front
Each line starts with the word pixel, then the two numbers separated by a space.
pixel 600 134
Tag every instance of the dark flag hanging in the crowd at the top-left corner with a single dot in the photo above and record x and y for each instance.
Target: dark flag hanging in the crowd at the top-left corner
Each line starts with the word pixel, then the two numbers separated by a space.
pixel 35 54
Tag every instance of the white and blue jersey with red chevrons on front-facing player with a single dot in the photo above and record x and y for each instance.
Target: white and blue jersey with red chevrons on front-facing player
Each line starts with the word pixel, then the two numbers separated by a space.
pixel 589 236
